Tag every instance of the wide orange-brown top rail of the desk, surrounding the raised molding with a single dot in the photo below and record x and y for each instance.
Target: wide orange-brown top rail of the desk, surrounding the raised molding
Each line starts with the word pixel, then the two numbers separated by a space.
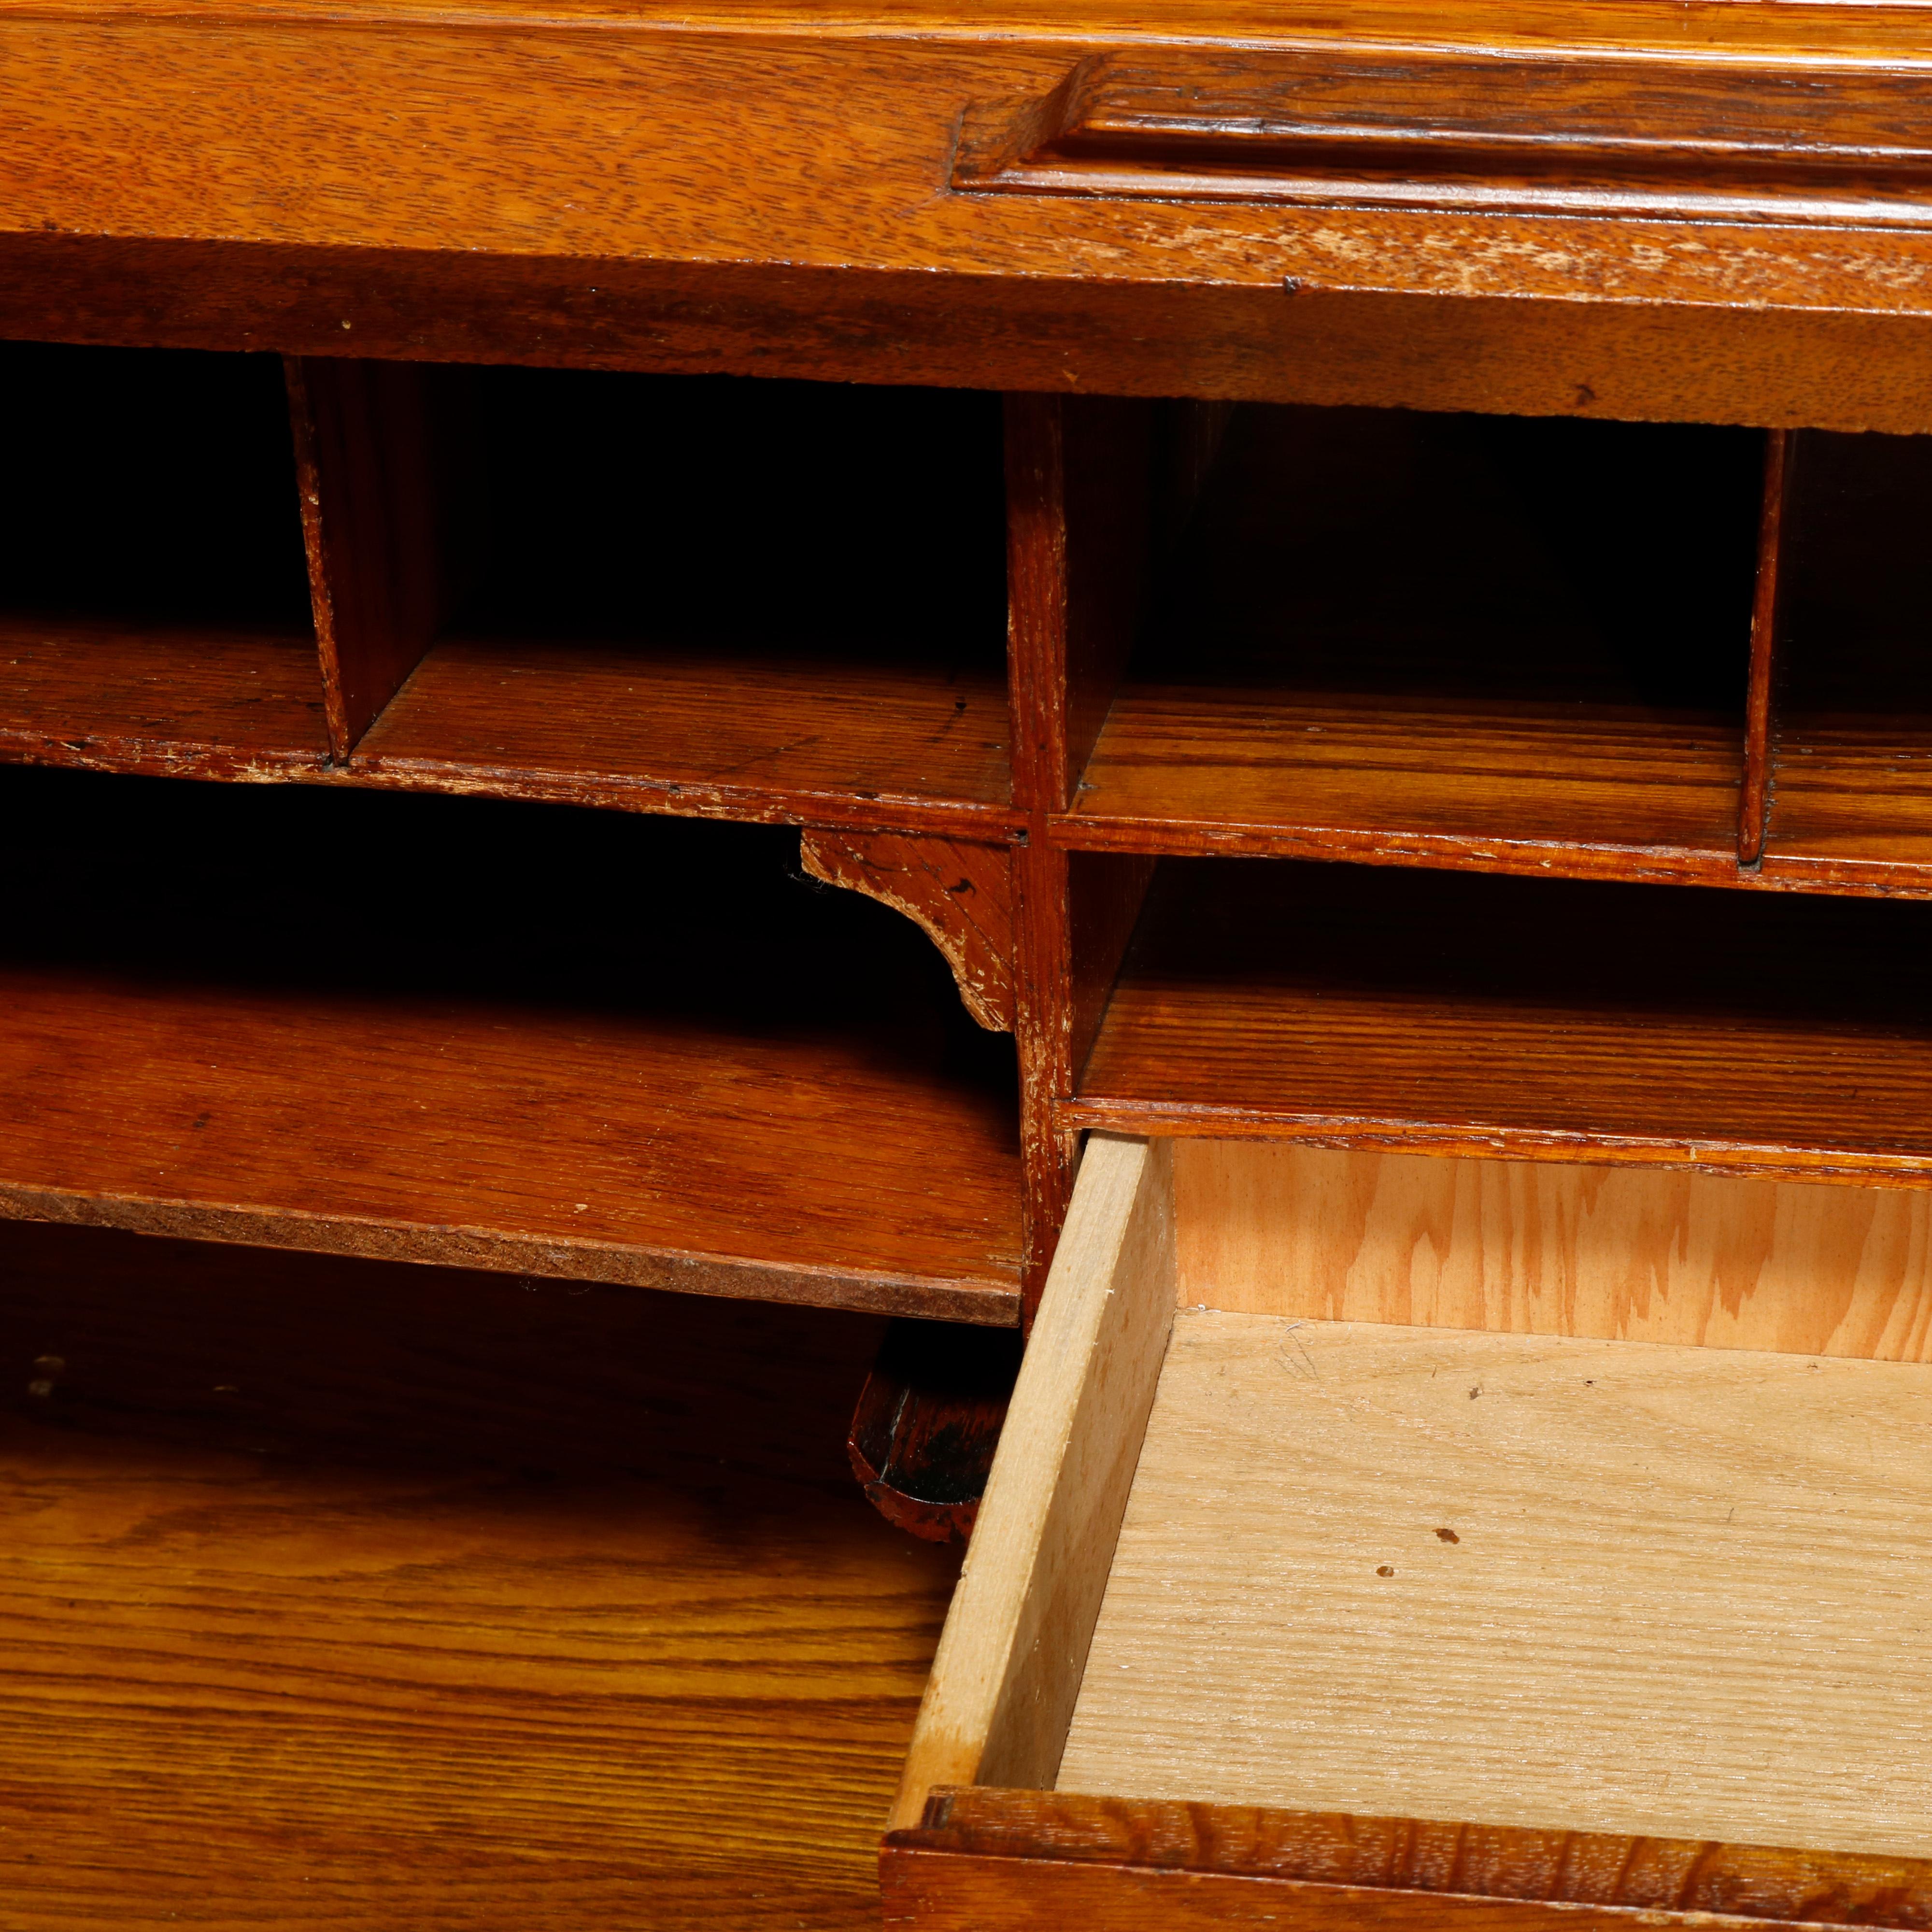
pixel 297 150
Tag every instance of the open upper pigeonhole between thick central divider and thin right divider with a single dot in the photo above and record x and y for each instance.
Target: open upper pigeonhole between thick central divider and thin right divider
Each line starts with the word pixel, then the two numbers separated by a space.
pixel 1458 642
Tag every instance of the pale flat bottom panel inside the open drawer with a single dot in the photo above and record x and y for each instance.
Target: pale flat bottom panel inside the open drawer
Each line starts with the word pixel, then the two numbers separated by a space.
pixel 1570 1585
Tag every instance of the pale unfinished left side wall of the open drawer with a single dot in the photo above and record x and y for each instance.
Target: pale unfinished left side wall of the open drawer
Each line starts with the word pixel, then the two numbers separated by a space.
pixel 1015 1645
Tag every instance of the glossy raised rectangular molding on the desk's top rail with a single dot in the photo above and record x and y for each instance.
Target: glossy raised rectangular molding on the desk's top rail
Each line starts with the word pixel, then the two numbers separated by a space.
pixel 1469 130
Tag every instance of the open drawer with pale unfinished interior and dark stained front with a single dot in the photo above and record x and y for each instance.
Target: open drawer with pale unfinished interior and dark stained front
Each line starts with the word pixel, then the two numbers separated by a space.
pixel 1587 1512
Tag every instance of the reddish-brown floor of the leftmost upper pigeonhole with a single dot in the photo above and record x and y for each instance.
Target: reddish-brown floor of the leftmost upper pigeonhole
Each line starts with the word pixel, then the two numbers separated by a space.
pixel 136 696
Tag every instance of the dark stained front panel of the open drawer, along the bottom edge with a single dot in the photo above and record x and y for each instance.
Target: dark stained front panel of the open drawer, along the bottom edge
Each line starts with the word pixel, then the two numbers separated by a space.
pixel 1147 1863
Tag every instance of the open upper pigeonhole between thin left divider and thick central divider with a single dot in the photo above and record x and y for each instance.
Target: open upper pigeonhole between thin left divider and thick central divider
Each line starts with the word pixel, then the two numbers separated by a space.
pixel 714 598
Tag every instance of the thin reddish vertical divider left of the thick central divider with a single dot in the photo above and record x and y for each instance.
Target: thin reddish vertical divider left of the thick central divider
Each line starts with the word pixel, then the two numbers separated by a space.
pixel 370 528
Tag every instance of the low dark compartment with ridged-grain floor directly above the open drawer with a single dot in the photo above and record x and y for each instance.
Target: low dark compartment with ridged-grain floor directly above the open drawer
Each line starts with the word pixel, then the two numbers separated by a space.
pixel 1365 1008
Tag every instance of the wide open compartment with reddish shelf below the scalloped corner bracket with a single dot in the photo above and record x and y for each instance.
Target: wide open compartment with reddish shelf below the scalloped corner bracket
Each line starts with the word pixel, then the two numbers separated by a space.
pixel 567 1046
